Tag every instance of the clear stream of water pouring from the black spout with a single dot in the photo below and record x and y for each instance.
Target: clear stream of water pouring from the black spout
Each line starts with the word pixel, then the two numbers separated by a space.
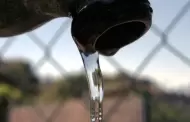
pixel 95 81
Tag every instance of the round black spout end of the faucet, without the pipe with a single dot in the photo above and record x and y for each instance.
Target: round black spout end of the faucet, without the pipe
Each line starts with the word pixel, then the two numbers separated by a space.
pixel 108 25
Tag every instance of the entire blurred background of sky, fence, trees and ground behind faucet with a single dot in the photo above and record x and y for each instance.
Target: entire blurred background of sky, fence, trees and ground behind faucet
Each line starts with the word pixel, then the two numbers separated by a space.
pixel 43 80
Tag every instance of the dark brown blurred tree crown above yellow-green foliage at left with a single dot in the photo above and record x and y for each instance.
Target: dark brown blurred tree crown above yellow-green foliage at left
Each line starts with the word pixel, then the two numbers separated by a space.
pixel 19 74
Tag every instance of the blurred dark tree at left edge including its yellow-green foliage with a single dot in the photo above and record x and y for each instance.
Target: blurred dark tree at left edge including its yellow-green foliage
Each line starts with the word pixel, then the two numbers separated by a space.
pixel 17 79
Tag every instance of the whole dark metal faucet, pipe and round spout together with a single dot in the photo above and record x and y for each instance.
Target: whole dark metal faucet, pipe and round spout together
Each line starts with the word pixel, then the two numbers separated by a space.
pixel 104 26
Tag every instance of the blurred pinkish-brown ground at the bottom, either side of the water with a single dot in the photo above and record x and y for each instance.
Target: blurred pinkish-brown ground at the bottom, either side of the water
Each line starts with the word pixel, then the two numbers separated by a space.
pixel 74 111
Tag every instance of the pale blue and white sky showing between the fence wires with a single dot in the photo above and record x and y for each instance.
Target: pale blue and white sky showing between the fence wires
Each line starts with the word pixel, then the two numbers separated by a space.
pixel 168 70
